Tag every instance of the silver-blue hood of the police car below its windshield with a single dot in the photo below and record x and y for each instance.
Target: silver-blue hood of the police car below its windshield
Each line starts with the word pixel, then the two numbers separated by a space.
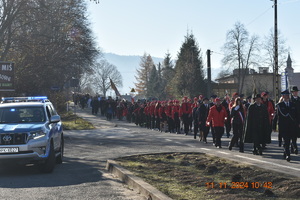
pixel 20 127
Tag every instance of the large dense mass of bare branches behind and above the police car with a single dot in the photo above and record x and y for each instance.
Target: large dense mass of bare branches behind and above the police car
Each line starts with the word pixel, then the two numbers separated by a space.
pixel 49 41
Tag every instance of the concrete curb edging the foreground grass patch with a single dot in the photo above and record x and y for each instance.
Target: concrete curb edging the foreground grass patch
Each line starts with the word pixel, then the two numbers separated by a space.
pixel 135 182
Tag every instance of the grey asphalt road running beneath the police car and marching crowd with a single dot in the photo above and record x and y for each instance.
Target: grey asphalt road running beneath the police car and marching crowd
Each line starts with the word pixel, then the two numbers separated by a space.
pixel 83 174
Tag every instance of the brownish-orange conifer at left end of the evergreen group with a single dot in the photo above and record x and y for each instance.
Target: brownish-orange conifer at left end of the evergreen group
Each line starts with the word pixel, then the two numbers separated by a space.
pixel 143 74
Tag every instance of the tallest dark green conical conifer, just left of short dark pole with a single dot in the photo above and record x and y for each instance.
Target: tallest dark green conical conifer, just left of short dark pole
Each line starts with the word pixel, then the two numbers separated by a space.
pixel 189 77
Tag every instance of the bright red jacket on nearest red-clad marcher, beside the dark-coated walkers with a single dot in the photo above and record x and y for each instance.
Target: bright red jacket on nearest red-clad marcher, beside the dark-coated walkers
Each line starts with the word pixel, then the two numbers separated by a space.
pixel 217 118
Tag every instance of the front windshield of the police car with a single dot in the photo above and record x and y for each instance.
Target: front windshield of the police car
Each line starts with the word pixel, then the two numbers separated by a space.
pixel 22 114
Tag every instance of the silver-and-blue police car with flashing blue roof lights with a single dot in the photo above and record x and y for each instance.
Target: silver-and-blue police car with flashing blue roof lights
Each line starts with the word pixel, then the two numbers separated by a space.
pixel 31 132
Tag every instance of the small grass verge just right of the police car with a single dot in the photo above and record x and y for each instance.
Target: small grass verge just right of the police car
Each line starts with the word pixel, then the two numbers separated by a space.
pixel 71 121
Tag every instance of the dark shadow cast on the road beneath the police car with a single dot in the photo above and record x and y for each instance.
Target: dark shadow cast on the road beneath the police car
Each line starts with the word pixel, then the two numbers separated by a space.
pixel 71 172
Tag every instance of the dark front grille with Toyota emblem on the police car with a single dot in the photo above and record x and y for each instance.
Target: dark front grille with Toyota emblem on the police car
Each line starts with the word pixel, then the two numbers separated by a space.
pixel 13 138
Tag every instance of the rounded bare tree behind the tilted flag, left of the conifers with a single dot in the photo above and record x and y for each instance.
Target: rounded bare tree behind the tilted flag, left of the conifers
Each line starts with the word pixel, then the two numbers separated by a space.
pixel 102 73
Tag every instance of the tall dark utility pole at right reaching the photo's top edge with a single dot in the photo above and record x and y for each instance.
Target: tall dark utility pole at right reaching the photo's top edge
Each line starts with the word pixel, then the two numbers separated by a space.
pixel 276 76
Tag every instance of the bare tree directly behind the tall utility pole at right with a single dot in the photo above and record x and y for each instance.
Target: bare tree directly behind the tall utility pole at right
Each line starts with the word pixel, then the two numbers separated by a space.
pixel 269 49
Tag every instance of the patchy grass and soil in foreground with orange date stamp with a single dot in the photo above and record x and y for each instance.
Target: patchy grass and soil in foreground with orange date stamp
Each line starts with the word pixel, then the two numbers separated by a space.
pixel 198 176
